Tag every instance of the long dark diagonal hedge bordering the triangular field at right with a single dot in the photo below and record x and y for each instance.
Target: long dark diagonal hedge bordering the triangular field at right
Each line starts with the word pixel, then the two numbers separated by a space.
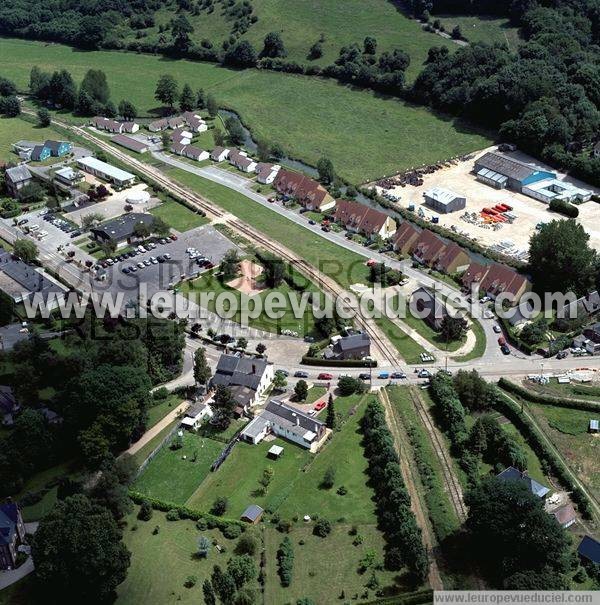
pixel 535 439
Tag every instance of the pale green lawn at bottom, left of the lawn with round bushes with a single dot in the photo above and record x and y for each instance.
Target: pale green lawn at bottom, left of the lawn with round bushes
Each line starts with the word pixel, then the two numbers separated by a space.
pixel 161 563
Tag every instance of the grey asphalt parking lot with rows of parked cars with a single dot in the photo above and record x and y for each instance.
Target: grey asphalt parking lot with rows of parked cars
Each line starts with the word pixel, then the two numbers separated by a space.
pixel 159 277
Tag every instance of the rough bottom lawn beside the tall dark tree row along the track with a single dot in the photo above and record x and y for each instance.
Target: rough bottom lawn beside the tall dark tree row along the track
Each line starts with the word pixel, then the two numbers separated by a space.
pixel 326 567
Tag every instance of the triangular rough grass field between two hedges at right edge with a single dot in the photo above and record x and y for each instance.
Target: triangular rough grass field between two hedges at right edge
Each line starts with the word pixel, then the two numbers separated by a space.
pixel 567 428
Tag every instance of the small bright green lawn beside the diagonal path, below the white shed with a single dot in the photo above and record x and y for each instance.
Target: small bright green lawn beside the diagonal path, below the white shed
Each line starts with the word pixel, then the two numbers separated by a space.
pixel 171 477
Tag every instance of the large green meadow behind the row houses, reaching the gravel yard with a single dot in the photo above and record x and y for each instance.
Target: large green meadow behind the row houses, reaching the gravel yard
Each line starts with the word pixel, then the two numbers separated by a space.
pixel 366 135
